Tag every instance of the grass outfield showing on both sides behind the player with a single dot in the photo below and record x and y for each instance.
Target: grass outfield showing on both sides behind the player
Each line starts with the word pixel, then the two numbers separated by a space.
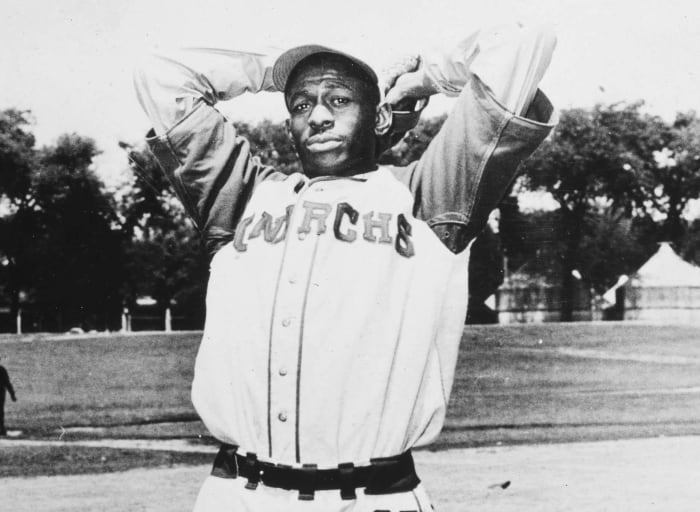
pixel 514 384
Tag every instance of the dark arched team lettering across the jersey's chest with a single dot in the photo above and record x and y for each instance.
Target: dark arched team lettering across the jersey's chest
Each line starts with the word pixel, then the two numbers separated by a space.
pixel 348 225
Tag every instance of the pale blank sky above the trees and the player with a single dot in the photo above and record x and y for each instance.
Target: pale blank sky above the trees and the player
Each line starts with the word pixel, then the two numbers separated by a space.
pixel 70 61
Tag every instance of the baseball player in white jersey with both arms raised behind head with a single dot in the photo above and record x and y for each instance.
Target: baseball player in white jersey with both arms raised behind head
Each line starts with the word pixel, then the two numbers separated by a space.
pixel 337 297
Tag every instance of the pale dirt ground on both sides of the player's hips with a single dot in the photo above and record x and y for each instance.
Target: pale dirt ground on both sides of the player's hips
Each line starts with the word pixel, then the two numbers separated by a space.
pixel 659 474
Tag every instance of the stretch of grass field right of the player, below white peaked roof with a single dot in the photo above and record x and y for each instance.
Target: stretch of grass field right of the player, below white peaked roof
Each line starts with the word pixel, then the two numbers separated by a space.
pixel 564 382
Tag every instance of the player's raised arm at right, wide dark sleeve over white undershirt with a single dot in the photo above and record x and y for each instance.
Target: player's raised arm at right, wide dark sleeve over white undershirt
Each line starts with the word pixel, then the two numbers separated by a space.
pixel 499 118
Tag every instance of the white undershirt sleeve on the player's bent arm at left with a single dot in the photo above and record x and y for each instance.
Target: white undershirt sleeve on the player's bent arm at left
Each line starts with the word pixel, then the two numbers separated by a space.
pixel 169 86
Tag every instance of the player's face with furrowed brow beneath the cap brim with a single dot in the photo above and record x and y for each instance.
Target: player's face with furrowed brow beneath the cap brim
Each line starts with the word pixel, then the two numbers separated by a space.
pixel 332 118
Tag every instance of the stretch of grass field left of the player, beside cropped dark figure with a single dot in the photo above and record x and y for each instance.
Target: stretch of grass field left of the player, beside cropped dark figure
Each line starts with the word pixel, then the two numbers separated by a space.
pixel 99 381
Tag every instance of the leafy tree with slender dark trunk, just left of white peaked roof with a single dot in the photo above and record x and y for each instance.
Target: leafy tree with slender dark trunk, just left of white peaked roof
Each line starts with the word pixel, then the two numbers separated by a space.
pixel 597 158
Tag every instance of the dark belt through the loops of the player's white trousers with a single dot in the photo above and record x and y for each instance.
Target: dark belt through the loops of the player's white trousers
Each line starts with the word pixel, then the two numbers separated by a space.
pixel 387 475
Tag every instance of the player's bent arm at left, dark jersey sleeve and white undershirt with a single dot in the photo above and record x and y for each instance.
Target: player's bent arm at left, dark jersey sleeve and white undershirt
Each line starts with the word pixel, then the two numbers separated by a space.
pixel 209 165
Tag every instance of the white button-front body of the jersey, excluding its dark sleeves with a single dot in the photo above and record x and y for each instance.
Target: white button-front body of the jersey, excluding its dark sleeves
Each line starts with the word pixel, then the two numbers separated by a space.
pixel 331 321
